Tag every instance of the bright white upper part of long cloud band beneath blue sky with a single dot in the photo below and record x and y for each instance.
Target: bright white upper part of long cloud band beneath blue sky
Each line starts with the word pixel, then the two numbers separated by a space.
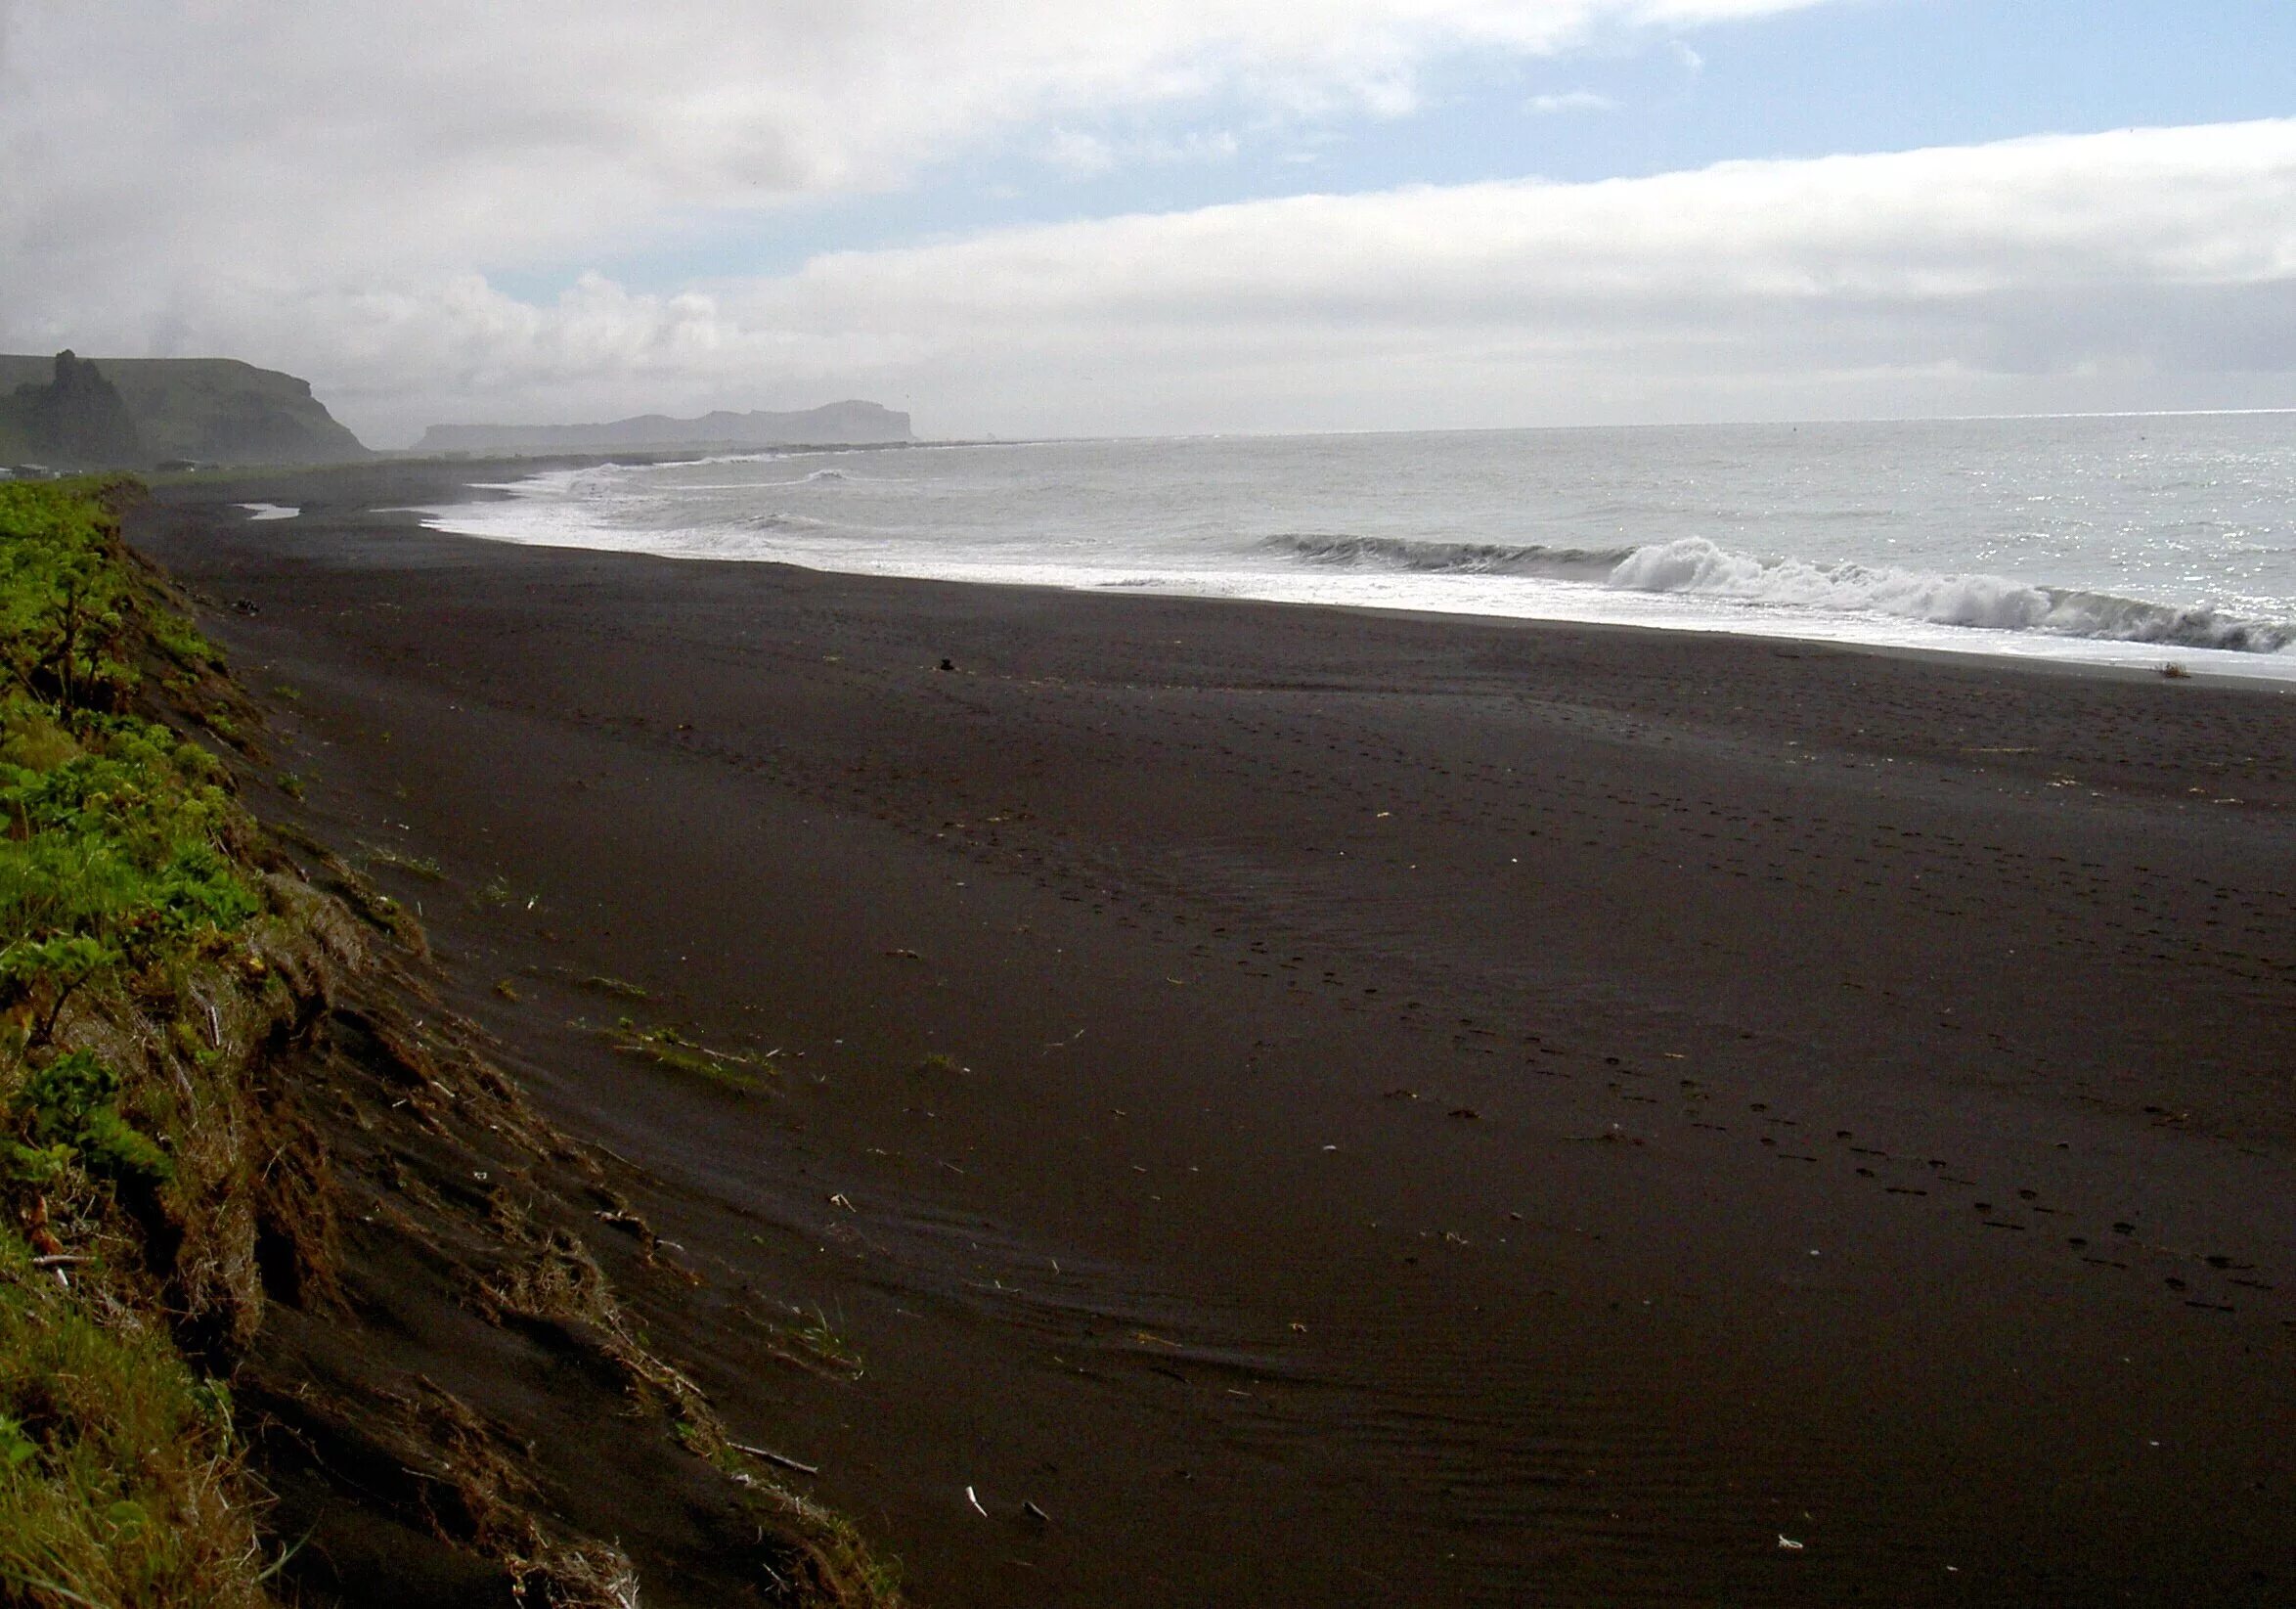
pixel 2141 212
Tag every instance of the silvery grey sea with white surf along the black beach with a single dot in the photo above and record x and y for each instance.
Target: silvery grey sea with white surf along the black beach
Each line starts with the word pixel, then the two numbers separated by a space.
pixel 2125 541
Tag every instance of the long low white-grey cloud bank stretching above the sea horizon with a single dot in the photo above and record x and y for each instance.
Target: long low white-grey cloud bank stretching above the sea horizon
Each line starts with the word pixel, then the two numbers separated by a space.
pixel 2132 270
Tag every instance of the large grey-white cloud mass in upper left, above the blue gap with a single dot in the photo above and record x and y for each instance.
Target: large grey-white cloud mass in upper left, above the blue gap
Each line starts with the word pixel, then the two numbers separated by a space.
pixel 456 132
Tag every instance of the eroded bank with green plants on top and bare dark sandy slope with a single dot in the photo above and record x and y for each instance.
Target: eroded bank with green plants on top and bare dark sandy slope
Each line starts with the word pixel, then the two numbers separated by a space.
pixel 300 1298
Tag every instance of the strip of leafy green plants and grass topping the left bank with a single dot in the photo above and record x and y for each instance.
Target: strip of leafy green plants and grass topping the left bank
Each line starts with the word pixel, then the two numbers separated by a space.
pixel 121 903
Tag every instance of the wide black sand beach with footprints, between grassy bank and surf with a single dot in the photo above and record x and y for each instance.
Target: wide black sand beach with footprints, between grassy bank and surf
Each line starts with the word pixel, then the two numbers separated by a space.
pixel 1365 1110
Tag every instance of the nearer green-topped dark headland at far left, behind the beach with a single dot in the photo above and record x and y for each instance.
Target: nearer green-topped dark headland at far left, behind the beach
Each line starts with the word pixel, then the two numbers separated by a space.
pixel 203 410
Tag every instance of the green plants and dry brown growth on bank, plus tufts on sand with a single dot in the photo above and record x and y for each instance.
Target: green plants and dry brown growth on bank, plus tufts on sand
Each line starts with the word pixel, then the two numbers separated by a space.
pixel 162 974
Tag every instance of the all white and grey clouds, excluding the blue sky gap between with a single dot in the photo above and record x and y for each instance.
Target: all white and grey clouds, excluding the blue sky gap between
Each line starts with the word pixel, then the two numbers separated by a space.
pixel 327 189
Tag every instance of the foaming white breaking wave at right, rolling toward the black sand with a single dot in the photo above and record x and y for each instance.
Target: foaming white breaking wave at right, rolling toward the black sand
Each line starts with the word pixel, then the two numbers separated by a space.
pixel 1989 603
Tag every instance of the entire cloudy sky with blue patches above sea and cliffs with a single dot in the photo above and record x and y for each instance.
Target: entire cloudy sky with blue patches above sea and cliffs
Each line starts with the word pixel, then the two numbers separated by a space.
pixel 1168 217
